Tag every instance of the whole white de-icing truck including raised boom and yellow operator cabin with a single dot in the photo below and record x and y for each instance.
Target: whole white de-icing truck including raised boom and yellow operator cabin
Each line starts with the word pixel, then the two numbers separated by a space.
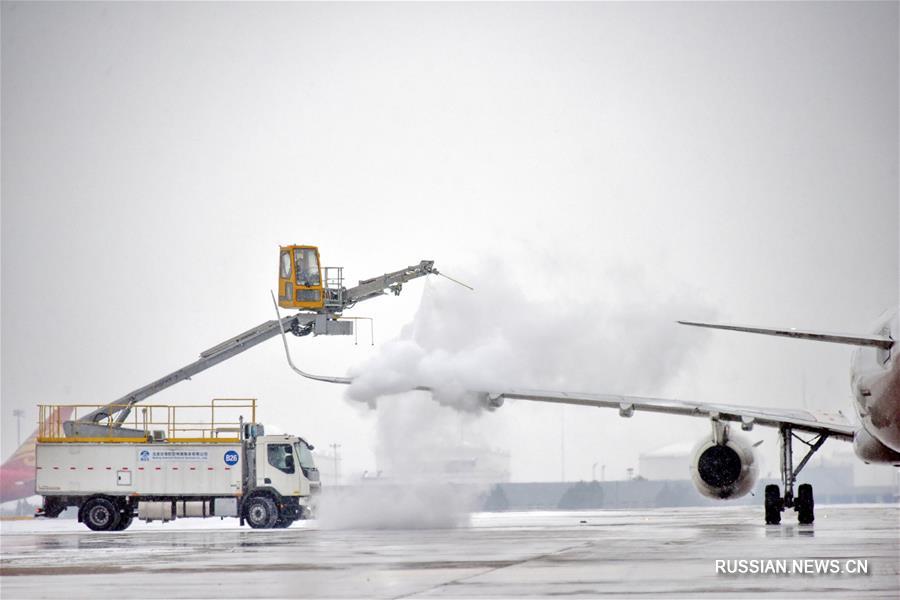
pixel 118 461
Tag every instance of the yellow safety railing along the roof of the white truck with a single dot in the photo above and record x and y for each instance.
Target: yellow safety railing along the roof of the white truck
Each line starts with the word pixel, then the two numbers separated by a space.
pixel 177 423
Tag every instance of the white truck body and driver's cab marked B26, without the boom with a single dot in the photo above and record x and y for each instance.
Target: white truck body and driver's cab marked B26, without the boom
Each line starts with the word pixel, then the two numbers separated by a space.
pixel 177 469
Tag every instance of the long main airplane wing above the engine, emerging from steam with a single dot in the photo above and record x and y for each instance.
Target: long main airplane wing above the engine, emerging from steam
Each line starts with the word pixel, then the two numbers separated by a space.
pixel 835 425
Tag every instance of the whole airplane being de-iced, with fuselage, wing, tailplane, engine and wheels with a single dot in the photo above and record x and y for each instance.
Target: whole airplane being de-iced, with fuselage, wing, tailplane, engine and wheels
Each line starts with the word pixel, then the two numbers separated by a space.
pixel 724 465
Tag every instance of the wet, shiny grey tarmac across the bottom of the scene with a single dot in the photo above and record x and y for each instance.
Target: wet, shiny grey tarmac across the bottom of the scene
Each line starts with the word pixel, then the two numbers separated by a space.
pixel 647 553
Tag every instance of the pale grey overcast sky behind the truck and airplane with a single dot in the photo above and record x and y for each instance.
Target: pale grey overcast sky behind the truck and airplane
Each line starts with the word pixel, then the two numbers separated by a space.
pixel 743 157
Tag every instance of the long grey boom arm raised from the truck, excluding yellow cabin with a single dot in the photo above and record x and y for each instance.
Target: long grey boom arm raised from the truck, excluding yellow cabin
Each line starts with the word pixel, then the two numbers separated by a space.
pixel 317 323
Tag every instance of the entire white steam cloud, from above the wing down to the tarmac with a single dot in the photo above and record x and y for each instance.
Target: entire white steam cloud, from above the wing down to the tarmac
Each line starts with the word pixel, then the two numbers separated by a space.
pixel 509 333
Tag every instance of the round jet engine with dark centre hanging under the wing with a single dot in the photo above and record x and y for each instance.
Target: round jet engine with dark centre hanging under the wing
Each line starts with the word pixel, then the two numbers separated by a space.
pixel 724 468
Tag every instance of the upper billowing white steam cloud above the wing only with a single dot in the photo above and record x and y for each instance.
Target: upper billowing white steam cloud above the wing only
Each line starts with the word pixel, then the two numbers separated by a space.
pixel 623 339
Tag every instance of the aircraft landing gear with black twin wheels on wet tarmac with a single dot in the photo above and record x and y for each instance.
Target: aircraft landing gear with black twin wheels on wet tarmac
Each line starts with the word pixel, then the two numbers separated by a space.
pixel 803 504
